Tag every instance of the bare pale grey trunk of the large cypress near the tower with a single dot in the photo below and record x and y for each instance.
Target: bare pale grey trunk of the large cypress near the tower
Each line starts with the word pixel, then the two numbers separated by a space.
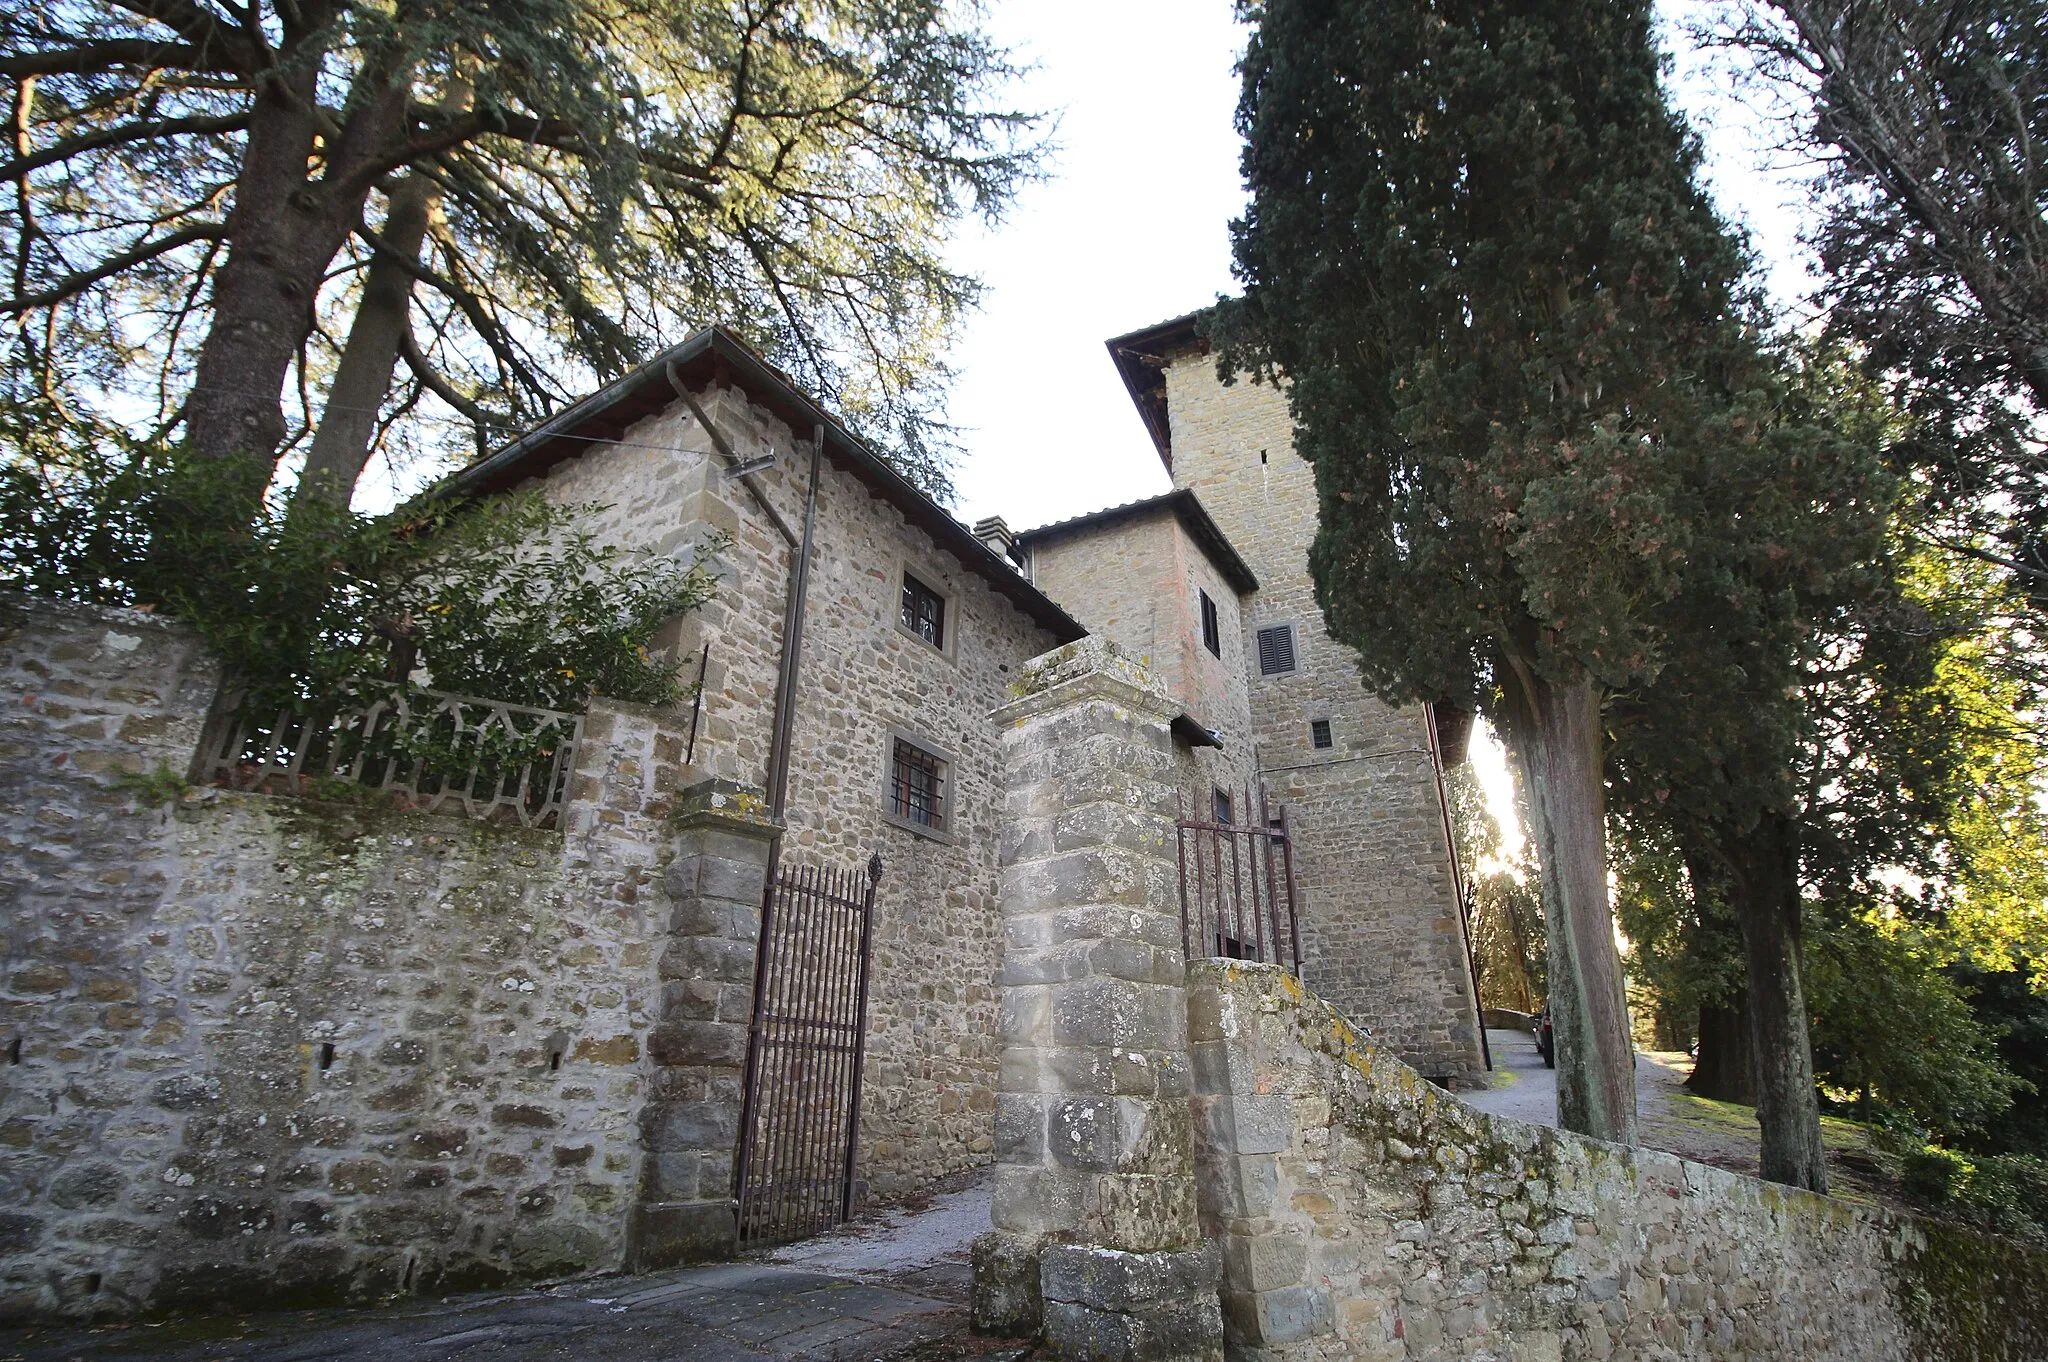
pixel 1558 740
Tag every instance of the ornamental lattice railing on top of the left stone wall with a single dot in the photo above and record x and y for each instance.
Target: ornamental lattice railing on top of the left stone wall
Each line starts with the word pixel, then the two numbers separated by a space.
pixel 441 753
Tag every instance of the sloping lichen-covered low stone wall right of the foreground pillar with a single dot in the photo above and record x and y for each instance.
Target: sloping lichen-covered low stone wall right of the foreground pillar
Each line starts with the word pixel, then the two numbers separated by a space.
pixel 1365 1214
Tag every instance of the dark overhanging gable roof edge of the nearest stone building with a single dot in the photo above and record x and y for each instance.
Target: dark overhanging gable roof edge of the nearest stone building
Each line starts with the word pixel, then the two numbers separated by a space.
pixel 718 355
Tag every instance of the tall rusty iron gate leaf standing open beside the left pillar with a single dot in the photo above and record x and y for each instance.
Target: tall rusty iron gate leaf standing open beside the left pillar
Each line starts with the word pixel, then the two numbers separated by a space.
pixel 800 1115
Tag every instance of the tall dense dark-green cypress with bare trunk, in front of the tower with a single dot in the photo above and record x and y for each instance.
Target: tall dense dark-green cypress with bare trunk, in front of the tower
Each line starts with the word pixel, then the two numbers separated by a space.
pixel 1510 325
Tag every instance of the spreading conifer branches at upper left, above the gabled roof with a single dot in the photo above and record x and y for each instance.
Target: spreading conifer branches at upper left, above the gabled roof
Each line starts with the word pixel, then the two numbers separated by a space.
pixel 609 177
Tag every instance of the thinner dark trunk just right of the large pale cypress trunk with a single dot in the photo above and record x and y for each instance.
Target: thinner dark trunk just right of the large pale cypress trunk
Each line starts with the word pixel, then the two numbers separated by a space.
pixel 1764 869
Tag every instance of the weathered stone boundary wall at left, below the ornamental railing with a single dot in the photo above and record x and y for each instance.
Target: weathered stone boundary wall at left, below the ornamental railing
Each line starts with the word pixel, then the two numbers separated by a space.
pixel 271 1048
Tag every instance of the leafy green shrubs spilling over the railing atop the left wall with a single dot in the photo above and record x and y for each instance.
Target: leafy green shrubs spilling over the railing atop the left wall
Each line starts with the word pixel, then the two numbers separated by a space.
pixel 503 599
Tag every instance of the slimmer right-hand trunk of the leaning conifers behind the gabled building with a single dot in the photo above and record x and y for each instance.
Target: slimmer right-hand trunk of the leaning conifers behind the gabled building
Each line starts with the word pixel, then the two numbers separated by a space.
pixel 349 423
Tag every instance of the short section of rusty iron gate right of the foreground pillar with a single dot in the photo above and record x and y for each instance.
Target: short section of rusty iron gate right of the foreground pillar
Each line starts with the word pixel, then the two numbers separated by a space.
pixel 1238 888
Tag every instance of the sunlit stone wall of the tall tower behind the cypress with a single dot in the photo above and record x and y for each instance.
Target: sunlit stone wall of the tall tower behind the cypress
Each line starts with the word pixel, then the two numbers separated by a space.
pixel 1379 898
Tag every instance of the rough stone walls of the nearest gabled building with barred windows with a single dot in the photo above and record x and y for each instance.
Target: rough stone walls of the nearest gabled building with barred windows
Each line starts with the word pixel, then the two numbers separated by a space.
pixel 933 1056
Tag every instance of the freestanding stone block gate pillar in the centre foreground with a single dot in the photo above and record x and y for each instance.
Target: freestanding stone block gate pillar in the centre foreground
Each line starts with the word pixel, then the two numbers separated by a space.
pixel 1095 1222
